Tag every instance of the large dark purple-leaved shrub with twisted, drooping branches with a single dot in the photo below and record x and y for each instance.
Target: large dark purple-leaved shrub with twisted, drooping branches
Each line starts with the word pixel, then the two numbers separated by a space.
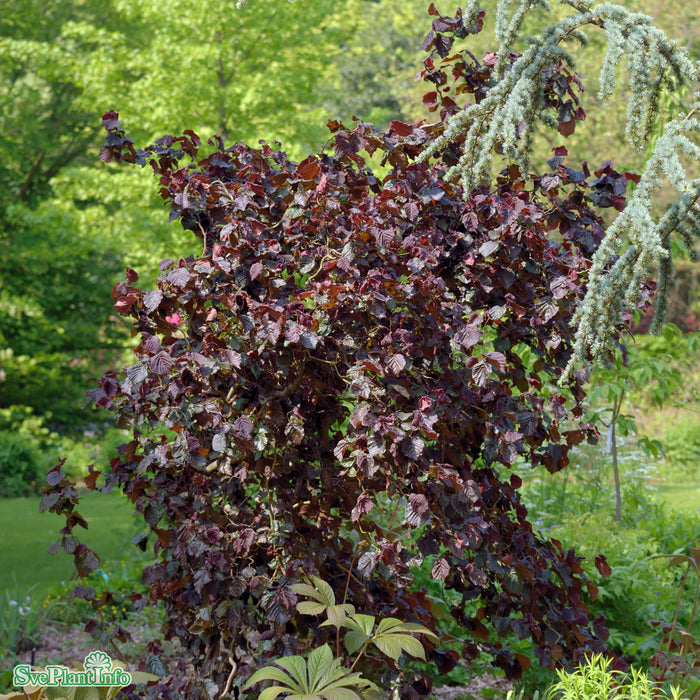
pixel 341 383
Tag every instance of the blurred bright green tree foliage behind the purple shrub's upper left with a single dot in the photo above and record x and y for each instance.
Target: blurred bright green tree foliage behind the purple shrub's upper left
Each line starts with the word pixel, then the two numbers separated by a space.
pixel 67 223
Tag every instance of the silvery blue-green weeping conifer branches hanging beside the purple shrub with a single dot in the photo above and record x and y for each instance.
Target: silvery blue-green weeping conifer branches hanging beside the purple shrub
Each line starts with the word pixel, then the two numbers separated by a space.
pixel 505 120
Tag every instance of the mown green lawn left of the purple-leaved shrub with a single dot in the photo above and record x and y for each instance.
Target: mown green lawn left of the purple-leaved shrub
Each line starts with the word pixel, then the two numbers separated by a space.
pixel 26 535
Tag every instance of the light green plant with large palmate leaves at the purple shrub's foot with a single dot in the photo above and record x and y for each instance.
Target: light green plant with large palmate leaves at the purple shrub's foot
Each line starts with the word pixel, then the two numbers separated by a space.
pixel 322 674
